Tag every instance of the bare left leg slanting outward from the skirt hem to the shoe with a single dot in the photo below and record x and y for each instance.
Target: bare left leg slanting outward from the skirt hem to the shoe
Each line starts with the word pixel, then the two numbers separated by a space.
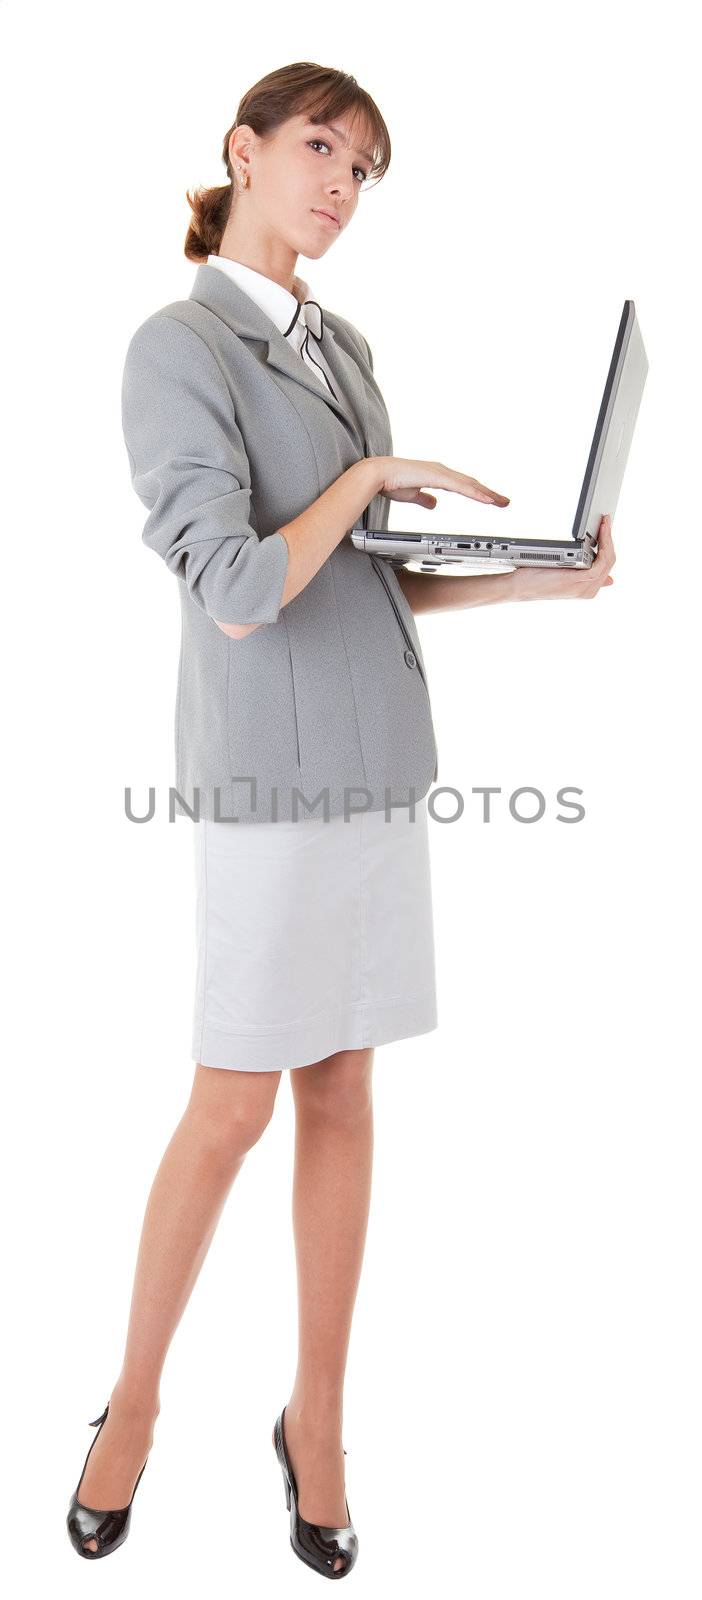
pixel 225 1118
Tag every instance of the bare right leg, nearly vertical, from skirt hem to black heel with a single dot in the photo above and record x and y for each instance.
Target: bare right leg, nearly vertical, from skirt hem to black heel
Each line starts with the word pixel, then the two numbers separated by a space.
pixel 332 1194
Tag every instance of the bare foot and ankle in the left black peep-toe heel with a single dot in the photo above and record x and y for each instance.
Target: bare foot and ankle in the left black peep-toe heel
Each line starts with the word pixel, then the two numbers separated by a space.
pixel 118 1457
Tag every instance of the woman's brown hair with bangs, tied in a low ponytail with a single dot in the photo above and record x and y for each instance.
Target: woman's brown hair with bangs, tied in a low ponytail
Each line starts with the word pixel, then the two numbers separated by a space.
pixel 301 89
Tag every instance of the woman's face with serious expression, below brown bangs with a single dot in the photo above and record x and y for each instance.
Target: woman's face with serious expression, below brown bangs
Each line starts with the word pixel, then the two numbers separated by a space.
pixel 301 170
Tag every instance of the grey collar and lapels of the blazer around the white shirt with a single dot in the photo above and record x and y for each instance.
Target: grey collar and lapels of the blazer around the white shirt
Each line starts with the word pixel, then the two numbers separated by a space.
pixel 221 295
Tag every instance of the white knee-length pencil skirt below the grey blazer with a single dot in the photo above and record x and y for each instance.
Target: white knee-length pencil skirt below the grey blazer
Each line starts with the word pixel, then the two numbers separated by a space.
pixel 311 938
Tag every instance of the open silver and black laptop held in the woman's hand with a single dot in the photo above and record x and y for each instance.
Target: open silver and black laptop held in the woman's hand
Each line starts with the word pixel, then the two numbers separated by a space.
pixel 599 494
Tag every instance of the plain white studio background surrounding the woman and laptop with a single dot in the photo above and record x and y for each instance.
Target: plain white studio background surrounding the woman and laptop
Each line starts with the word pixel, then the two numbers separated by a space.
pixel 524 1388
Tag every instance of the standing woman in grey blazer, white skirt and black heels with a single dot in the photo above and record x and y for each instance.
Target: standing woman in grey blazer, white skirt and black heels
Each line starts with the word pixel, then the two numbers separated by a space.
pixel 258 438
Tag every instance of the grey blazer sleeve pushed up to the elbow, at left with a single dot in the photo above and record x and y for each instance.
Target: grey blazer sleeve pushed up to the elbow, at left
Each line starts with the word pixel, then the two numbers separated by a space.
pixel 189 466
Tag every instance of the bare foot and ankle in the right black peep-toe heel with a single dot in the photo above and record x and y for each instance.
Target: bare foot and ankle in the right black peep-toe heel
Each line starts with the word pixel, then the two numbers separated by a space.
pixel 317 1460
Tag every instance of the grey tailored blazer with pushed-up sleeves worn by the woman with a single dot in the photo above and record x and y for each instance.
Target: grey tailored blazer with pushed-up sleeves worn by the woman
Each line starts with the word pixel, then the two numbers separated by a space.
pixel 231 436
